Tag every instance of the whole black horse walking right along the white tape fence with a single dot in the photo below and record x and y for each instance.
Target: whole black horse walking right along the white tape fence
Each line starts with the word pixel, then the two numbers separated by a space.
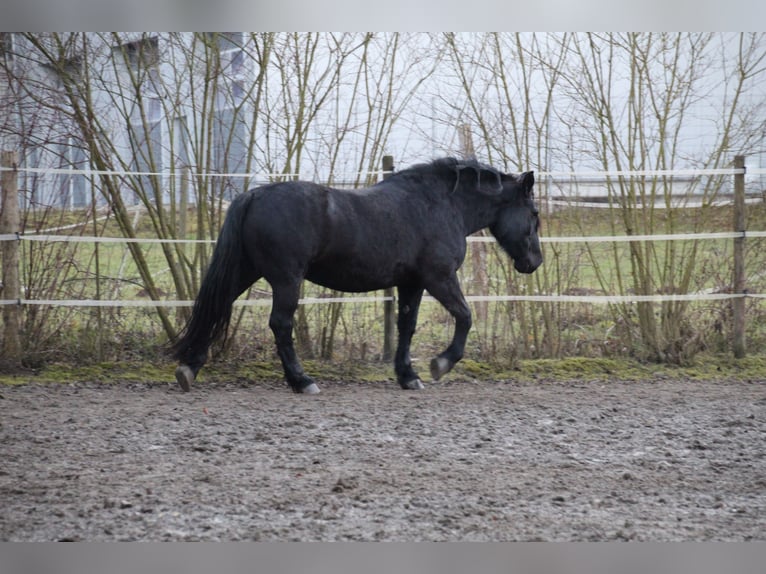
pixel 408 231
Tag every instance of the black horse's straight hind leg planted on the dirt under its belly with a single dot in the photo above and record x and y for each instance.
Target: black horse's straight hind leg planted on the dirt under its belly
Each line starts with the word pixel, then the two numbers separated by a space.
pixel 284 305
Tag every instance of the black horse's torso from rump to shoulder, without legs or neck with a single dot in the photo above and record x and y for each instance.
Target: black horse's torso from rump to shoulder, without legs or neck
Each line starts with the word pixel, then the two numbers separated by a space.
pixel 349 240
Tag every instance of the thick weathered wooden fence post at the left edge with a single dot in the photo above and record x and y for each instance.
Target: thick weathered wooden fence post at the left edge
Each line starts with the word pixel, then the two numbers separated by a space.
pixel 9 224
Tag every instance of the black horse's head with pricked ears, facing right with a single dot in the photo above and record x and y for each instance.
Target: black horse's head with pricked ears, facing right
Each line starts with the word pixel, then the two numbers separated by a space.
pixel 517 221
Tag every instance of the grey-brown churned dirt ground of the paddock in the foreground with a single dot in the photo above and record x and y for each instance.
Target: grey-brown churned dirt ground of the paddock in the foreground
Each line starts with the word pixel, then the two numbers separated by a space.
pixel 461 460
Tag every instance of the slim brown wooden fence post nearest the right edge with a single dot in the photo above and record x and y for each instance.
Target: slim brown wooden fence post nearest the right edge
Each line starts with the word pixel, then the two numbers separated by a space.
pixel 738 282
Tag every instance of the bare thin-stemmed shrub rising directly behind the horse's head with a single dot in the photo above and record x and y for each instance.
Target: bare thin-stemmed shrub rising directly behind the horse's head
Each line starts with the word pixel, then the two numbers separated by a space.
pixel 507 84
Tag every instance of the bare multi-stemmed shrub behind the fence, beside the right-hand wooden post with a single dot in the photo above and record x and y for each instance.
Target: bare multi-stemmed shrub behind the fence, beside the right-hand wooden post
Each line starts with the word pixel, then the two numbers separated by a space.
pixel 635 96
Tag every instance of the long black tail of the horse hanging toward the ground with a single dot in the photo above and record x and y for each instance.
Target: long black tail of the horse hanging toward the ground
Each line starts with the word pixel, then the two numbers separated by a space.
pixel 213 306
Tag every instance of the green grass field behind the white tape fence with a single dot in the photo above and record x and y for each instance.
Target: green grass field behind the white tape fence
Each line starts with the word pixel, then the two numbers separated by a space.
pixel 510 333
